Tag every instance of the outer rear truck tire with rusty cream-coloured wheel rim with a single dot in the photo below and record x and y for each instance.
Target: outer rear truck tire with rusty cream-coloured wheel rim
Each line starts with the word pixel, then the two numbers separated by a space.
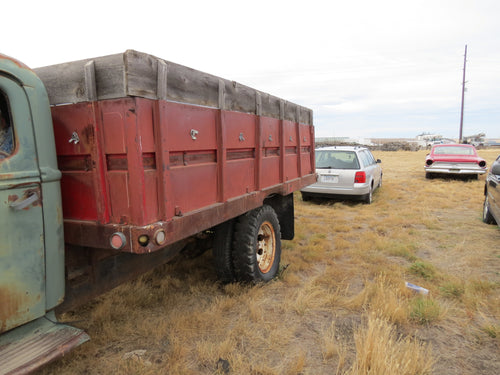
pixel 257 245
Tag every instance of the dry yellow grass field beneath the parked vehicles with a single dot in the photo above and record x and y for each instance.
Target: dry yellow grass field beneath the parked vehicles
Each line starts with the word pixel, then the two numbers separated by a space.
pixel 339 305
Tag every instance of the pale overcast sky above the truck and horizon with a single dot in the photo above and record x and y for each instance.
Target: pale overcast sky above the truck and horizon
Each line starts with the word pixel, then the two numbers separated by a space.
pixel 386 68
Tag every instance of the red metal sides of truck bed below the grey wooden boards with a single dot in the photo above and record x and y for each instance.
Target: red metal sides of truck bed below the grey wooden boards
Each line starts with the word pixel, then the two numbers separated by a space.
pixel 145 165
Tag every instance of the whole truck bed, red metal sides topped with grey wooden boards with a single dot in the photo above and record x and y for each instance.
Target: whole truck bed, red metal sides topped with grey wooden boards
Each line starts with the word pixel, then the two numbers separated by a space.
pixel 150 147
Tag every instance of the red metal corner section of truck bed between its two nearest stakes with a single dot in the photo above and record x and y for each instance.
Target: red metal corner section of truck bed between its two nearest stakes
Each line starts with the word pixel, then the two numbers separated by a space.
pixel 131 164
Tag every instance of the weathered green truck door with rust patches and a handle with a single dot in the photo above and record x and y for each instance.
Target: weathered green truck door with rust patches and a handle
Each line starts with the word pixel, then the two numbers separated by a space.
pixel 22 267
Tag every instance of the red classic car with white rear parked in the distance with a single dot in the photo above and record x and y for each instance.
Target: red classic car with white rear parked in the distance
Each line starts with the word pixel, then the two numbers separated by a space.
pixel 457 159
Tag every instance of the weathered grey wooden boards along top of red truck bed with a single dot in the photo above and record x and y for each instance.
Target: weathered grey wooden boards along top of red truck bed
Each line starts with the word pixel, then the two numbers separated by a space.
pixel 139 74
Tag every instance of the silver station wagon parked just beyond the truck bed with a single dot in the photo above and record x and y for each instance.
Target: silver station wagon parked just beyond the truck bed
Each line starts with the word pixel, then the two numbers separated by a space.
pixel 345 172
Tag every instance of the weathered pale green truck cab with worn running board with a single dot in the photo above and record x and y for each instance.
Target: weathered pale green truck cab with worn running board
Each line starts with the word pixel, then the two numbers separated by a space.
pixel 31 227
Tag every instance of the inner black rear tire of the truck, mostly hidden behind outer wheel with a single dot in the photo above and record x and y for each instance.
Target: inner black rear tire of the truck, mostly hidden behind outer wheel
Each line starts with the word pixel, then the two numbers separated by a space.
pixel 222 251
